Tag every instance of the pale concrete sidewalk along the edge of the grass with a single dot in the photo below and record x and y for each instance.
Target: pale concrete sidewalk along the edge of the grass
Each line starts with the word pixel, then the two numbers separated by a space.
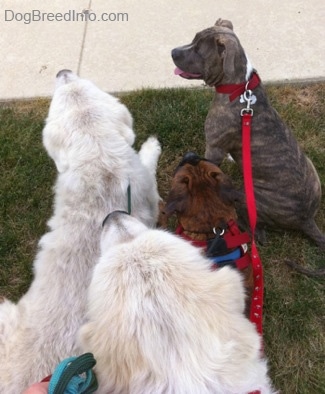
pixel 126 45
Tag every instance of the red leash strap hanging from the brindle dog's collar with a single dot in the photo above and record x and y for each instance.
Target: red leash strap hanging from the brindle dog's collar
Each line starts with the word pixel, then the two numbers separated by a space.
pixel 256 313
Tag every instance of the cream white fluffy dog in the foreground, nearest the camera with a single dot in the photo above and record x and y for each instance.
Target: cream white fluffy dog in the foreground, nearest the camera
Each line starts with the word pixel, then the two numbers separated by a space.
pixel 159 321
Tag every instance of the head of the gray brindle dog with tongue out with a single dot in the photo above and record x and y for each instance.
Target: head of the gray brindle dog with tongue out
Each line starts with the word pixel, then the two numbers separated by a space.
pixel 215 55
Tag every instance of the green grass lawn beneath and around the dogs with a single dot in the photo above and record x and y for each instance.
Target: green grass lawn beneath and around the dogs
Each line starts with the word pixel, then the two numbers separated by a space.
pixel 294 313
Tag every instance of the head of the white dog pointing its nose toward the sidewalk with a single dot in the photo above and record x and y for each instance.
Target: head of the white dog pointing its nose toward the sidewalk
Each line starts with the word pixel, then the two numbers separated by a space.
pixel 82 121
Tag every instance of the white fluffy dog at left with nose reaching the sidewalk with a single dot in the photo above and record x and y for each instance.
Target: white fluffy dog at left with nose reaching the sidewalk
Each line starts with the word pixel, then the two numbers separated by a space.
pixel 88 134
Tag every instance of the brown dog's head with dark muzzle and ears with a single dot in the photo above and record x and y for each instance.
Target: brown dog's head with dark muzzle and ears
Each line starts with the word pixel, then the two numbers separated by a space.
pixel 201 195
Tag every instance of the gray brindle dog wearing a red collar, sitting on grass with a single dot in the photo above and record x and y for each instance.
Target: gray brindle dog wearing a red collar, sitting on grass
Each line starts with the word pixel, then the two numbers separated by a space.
pixel 287 187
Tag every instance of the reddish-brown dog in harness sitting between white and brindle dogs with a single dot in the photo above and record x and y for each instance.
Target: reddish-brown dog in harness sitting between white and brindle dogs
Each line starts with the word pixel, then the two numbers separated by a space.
pixel 201 197
